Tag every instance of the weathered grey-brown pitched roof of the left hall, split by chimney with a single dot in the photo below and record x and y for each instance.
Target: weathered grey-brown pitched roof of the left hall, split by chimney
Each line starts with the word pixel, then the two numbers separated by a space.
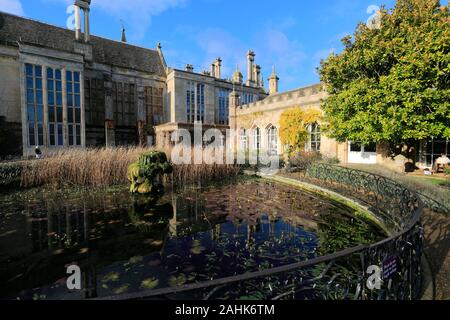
pixel 14 30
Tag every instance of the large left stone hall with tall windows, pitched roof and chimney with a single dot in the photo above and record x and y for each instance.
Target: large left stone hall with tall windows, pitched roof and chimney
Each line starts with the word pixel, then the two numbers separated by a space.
pixel 65 89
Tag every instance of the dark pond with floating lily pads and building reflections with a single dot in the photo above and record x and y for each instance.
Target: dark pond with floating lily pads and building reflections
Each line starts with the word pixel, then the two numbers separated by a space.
pixel 126 244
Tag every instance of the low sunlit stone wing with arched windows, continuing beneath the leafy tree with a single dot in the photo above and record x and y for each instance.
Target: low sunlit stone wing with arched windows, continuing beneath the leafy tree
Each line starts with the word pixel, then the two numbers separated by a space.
pixel 257 125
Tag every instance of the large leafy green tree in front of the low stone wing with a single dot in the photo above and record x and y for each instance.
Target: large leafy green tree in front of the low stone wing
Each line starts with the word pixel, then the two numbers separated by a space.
pixel 392 83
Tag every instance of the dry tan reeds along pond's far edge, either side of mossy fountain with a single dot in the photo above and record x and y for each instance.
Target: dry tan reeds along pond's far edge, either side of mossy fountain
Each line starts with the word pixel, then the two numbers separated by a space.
pixel 108 167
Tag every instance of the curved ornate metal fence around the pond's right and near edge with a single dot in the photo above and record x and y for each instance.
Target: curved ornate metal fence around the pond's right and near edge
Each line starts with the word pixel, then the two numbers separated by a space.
pixel 388 270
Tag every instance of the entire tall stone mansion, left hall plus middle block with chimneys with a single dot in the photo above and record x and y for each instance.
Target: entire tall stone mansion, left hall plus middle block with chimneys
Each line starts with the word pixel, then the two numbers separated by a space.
pixel 70 89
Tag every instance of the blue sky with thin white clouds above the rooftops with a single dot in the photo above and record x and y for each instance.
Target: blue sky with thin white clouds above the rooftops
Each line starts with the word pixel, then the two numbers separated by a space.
pixel 293 35
